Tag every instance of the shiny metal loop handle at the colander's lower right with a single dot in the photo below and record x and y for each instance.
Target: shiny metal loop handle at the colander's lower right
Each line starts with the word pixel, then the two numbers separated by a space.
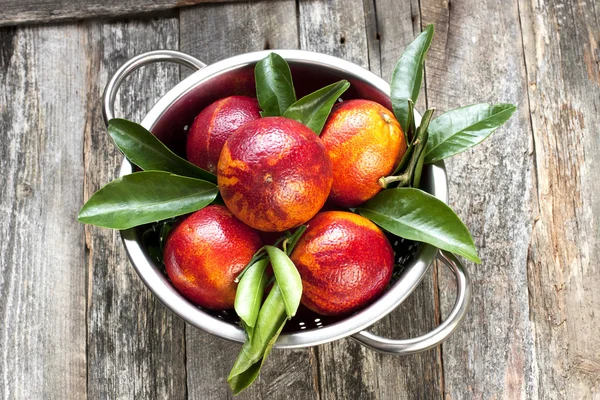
pixel 439 334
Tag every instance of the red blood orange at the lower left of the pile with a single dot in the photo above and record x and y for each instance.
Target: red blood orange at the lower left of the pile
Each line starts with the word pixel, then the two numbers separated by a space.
pixel 205 252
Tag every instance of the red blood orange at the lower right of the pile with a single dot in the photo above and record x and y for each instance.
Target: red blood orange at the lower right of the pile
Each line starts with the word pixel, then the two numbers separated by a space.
pixel 345 262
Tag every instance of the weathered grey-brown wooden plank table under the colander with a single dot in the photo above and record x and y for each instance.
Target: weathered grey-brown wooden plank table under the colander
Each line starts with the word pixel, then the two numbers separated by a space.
pixel 76 321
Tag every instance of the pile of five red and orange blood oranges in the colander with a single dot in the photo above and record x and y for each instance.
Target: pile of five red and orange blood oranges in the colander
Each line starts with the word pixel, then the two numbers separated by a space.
pixel 275 174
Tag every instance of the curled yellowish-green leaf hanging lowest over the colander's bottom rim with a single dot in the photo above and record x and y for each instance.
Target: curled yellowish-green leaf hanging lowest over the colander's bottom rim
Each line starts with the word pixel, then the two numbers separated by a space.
pixel 271 319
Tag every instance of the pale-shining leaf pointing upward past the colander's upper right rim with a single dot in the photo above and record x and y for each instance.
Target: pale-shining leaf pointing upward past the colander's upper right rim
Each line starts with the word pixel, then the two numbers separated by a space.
pixel 408 75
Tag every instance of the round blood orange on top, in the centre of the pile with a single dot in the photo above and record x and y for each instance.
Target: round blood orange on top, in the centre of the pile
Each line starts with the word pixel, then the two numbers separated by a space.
pixel 274 174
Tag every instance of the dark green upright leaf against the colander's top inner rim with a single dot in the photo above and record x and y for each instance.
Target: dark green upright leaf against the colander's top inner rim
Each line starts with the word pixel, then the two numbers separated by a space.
pixel 274 85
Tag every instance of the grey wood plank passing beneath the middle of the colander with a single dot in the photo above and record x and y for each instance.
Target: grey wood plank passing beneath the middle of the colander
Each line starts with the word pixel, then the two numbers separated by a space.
pixel 212 33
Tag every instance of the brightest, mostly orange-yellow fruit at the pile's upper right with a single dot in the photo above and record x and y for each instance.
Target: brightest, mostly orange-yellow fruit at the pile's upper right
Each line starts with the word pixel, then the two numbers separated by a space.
pixel 365 142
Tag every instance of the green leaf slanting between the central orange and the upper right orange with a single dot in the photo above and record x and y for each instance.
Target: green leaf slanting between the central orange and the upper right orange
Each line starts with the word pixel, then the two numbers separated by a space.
pixel 312 110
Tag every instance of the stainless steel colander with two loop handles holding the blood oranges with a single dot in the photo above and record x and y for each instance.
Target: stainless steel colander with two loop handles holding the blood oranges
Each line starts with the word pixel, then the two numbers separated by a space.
pixel 169 120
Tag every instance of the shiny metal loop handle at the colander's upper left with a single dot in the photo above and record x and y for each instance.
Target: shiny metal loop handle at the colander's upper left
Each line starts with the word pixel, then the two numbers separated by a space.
pixel 151 57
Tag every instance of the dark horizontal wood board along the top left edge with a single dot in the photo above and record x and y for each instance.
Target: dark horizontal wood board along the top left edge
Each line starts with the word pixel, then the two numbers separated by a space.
pixel 40 11
